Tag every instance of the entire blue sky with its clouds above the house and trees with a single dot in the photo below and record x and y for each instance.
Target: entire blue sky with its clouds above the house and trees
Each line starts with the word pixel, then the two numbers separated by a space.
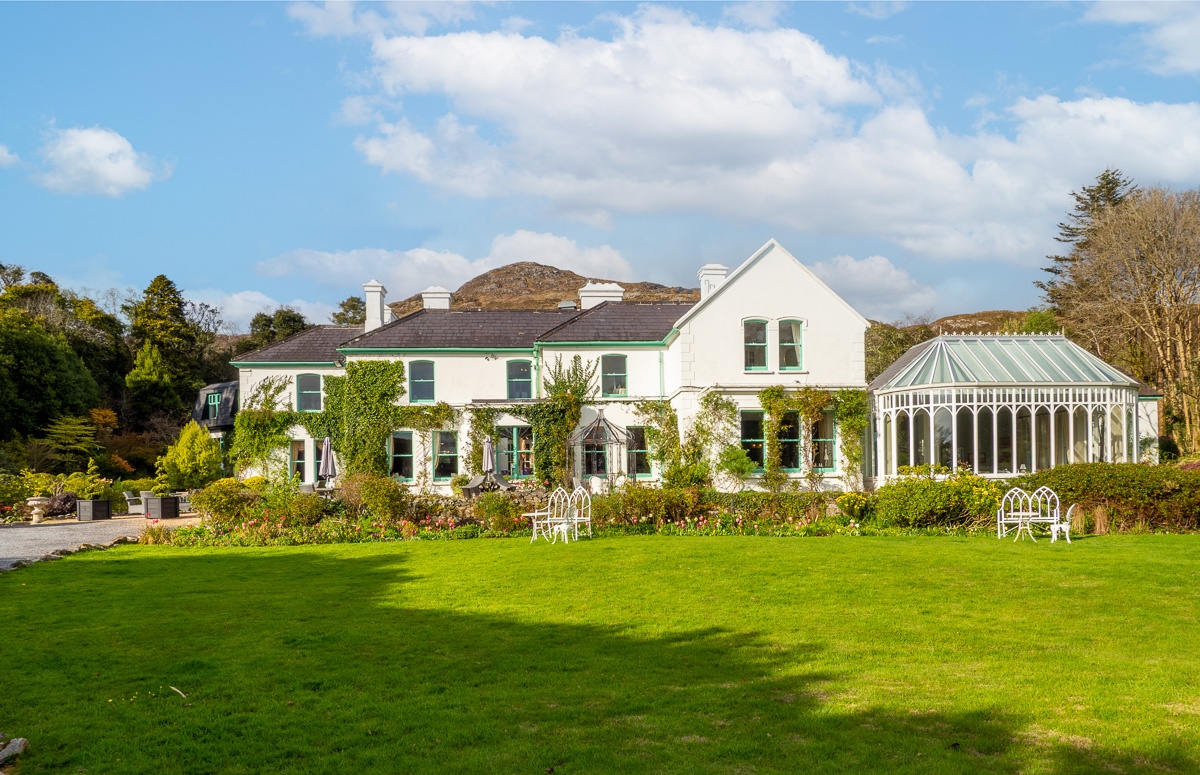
pixel 916 155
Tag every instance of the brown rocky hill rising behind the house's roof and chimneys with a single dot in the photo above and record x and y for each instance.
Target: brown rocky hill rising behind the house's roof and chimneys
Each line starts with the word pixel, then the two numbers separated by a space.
pixel 530 286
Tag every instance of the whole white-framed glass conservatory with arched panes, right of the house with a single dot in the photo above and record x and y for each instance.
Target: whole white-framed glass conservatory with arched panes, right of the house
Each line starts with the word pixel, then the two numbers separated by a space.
pixel 1003 405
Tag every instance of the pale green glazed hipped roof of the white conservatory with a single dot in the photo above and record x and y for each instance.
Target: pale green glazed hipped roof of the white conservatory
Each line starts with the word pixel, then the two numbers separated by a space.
pixel 999 359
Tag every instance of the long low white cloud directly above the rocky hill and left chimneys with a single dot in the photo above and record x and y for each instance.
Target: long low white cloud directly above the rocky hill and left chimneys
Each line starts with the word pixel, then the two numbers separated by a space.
pixel 406 273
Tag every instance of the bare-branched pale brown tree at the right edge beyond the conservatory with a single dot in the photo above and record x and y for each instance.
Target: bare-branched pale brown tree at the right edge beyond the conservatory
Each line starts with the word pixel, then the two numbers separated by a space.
pixel 1133 297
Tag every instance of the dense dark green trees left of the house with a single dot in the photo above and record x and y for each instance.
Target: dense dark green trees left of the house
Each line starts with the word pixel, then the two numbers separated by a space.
pixel 113 379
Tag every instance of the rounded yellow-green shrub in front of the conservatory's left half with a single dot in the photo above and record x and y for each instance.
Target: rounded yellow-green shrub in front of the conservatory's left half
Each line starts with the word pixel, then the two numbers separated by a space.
pixel 956 501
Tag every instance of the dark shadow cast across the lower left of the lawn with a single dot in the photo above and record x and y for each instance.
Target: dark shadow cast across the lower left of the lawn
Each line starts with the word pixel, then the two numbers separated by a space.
pixel 308 663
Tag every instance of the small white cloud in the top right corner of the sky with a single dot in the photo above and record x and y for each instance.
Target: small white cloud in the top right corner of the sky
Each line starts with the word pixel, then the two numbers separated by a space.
pixel 1172 31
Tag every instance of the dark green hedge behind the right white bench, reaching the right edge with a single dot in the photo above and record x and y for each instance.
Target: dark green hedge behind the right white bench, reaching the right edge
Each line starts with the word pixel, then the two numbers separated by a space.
pixel 1132 495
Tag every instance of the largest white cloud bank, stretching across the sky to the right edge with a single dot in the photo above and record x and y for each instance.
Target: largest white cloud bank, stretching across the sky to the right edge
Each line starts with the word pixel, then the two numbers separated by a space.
pixel 670 116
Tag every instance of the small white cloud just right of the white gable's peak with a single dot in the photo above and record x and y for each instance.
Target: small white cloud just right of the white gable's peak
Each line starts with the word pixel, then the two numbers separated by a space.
pixel 877 287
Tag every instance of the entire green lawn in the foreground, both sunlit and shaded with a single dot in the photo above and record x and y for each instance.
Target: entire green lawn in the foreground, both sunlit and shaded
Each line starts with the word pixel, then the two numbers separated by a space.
pixel 625 656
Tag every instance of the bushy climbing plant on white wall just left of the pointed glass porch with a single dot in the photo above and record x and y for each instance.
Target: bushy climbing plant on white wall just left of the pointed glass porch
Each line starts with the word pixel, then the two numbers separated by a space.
pixel 568 389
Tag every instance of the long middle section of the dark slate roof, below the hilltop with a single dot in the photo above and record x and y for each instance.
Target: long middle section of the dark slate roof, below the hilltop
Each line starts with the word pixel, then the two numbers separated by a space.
pixel 464 328
